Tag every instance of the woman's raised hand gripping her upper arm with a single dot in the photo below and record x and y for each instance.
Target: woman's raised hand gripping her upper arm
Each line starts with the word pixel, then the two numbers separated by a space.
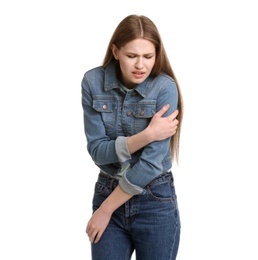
pixel 163 127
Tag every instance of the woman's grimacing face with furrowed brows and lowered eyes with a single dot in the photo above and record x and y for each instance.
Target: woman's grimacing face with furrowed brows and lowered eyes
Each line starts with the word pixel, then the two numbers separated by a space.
pixel 136 60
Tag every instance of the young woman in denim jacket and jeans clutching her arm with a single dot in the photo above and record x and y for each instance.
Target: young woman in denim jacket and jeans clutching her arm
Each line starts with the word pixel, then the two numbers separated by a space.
pixel 130 107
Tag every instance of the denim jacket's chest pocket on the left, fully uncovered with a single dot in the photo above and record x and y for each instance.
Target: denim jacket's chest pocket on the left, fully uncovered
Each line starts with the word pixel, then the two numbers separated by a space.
pixel 108 110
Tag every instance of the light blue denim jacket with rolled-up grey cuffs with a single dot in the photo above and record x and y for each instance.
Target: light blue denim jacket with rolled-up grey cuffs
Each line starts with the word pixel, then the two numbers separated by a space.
pixel 111 115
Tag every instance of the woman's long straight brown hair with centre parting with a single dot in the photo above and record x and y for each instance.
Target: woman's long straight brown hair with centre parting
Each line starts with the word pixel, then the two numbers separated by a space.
pixel 138 26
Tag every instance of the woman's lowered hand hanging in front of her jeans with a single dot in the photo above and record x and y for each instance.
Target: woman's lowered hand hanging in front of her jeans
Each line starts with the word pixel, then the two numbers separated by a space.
pixel 97 225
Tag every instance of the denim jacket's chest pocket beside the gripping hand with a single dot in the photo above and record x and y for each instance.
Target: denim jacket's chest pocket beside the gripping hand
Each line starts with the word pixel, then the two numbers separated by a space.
pixel 143 112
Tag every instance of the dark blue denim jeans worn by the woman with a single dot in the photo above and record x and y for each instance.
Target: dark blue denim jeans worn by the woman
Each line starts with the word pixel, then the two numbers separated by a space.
pixel 148 223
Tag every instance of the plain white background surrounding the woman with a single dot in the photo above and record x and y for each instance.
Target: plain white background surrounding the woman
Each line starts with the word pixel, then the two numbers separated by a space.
pixel 47 176
